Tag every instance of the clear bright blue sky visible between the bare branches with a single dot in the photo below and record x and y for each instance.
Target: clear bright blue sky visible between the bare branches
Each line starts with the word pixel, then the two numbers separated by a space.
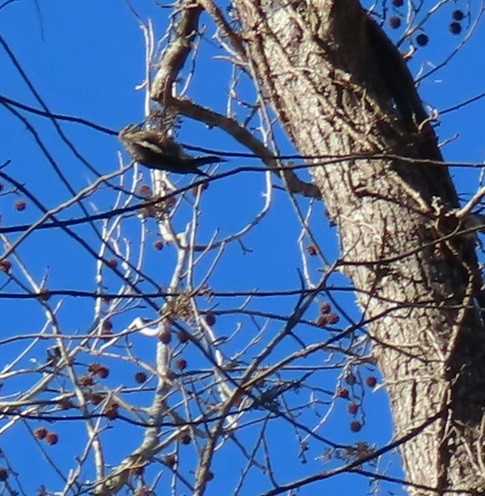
pixel 85 59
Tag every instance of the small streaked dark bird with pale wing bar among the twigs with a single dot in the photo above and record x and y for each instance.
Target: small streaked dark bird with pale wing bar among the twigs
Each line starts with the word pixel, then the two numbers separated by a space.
pixel 157 151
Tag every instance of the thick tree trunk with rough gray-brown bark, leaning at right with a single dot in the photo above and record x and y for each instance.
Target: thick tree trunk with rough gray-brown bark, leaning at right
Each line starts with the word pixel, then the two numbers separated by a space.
pixel 316 64
